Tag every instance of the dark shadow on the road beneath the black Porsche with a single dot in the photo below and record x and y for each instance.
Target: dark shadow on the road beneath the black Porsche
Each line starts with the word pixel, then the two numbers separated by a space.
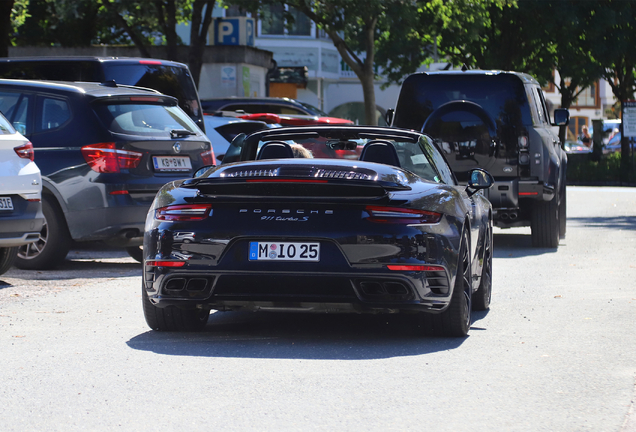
pixel 298 336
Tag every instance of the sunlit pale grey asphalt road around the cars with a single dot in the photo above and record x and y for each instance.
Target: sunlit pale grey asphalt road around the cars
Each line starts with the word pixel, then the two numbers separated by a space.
pixel 556 352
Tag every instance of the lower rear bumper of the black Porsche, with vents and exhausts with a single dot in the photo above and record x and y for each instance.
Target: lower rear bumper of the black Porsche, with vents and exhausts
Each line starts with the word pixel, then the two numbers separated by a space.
pixel 357 291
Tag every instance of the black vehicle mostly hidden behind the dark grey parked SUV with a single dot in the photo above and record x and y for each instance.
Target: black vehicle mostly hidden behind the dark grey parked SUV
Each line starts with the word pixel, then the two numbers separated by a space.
pixel 168 77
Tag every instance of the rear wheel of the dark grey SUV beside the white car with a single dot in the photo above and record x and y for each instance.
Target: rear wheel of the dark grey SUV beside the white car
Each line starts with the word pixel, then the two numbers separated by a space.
pixel 51 248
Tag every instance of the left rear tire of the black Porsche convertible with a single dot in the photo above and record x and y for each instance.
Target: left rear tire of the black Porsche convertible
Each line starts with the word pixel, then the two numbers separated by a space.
pixel 172 318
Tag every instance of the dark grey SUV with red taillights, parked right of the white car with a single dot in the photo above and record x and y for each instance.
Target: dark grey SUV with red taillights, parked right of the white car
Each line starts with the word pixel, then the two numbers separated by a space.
pixel 103 151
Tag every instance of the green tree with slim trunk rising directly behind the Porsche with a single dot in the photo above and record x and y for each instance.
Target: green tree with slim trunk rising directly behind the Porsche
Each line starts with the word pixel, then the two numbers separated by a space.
pixel 367 36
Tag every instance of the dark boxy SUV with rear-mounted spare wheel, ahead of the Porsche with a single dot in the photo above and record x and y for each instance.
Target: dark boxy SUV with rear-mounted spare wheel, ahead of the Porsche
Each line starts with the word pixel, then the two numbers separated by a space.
pixel 497 121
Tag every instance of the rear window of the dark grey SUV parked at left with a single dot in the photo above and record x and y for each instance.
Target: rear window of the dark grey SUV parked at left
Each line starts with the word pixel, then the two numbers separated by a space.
pixel 146 120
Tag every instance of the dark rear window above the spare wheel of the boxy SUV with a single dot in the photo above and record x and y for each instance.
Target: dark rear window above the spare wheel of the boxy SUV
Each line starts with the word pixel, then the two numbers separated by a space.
pixel 502 96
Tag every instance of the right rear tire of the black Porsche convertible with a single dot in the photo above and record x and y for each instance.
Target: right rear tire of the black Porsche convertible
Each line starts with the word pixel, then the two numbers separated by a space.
pixel 455 320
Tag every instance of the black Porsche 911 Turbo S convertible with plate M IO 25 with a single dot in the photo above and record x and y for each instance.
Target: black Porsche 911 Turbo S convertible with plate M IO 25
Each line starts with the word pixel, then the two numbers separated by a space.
pixel 321 219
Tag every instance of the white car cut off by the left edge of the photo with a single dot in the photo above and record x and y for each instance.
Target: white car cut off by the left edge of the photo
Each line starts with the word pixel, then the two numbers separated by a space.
pixel 21 218
